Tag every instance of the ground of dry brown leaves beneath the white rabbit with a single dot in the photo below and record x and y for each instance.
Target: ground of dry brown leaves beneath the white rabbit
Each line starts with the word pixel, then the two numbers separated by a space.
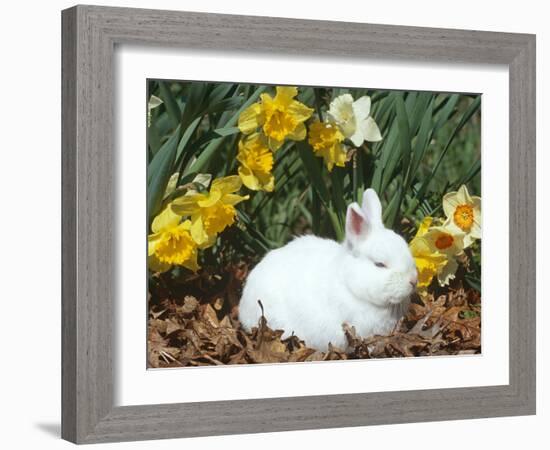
pixel 193 321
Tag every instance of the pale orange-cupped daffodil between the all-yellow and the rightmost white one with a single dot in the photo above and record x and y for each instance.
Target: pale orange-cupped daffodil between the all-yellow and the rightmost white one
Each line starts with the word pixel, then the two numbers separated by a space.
pixel 446 241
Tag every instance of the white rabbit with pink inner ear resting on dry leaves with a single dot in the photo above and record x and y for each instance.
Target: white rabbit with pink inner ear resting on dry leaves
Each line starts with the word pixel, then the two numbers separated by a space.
pixel 312 286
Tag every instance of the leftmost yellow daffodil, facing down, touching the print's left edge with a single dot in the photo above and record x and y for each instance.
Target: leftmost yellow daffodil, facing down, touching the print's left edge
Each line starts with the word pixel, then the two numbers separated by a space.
pixel 171 244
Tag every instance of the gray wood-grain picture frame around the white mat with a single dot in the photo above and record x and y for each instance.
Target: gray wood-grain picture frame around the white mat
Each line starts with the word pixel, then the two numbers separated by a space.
pixel 90 34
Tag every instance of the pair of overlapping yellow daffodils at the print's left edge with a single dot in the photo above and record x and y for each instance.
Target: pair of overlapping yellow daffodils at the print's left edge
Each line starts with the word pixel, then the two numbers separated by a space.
pixel 191 222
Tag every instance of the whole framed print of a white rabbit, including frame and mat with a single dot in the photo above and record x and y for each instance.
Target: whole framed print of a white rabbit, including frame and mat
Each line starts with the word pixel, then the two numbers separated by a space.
pixel 301 218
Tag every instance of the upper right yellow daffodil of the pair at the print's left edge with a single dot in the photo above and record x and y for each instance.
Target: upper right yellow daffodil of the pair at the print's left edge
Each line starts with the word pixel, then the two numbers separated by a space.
pixel 210 212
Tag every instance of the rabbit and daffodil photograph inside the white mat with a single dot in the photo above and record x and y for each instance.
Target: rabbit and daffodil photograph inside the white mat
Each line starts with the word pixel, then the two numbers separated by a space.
pixel 299 224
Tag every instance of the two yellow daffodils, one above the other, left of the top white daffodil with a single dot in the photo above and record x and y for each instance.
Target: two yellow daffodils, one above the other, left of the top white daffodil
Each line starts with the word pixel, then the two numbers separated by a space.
pixel 265 126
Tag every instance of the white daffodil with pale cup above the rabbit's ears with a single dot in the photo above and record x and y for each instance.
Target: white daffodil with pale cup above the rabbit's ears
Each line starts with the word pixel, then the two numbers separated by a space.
pixel 353 119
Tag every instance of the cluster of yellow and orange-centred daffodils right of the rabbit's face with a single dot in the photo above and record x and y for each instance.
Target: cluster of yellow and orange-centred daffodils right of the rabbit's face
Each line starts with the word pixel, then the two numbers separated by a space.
pixel 435 248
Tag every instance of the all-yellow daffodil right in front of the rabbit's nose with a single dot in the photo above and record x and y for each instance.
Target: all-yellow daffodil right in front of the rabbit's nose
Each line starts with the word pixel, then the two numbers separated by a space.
pixel 429 262
